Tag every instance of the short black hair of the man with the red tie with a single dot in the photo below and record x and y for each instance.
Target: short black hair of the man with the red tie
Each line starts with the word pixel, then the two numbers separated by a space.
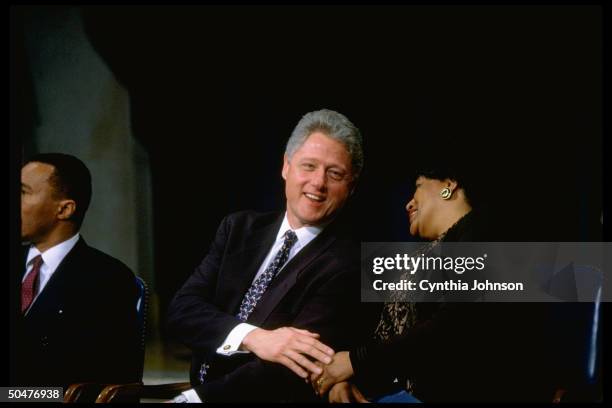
pixel 70 178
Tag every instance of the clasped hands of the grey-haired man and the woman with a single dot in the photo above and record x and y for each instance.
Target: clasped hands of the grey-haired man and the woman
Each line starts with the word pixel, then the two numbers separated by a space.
pixel 302 352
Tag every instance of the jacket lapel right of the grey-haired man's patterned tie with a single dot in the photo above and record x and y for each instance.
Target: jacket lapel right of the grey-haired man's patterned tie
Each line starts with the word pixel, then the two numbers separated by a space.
pixel 287 277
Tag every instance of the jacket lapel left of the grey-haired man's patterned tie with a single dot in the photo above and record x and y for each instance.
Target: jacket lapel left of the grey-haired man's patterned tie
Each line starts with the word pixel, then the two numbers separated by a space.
pixel 245 262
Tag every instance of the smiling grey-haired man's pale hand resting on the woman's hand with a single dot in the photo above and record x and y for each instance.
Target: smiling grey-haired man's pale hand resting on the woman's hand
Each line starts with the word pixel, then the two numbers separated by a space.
pixel 289 346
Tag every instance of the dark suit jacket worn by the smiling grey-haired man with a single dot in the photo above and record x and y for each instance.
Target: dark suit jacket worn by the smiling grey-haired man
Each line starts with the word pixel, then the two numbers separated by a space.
pixel 317 290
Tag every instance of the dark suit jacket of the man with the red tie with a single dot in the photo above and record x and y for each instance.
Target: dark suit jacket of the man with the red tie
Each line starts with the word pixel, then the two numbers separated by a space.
pixel 82 327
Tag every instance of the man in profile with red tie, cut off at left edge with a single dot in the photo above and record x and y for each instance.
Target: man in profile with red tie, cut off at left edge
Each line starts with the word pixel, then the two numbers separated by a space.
pixel 78 305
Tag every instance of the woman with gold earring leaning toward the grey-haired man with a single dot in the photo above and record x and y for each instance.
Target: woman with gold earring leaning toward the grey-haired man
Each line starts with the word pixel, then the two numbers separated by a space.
pixel 438 351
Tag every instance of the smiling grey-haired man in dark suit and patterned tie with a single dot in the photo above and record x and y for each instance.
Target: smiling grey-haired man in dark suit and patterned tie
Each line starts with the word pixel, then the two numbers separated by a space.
pixel 265 272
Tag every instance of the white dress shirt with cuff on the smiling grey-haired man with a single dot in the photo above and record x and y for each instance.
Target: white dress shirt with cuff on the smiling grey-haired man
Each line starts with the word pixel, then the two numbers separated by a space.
pixel 232 342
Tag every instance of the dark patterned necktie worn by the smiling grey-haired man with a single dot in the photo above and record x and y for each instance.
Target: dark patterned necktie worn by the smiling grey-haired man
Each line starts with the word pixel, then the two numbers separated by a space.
pixel 262 282
